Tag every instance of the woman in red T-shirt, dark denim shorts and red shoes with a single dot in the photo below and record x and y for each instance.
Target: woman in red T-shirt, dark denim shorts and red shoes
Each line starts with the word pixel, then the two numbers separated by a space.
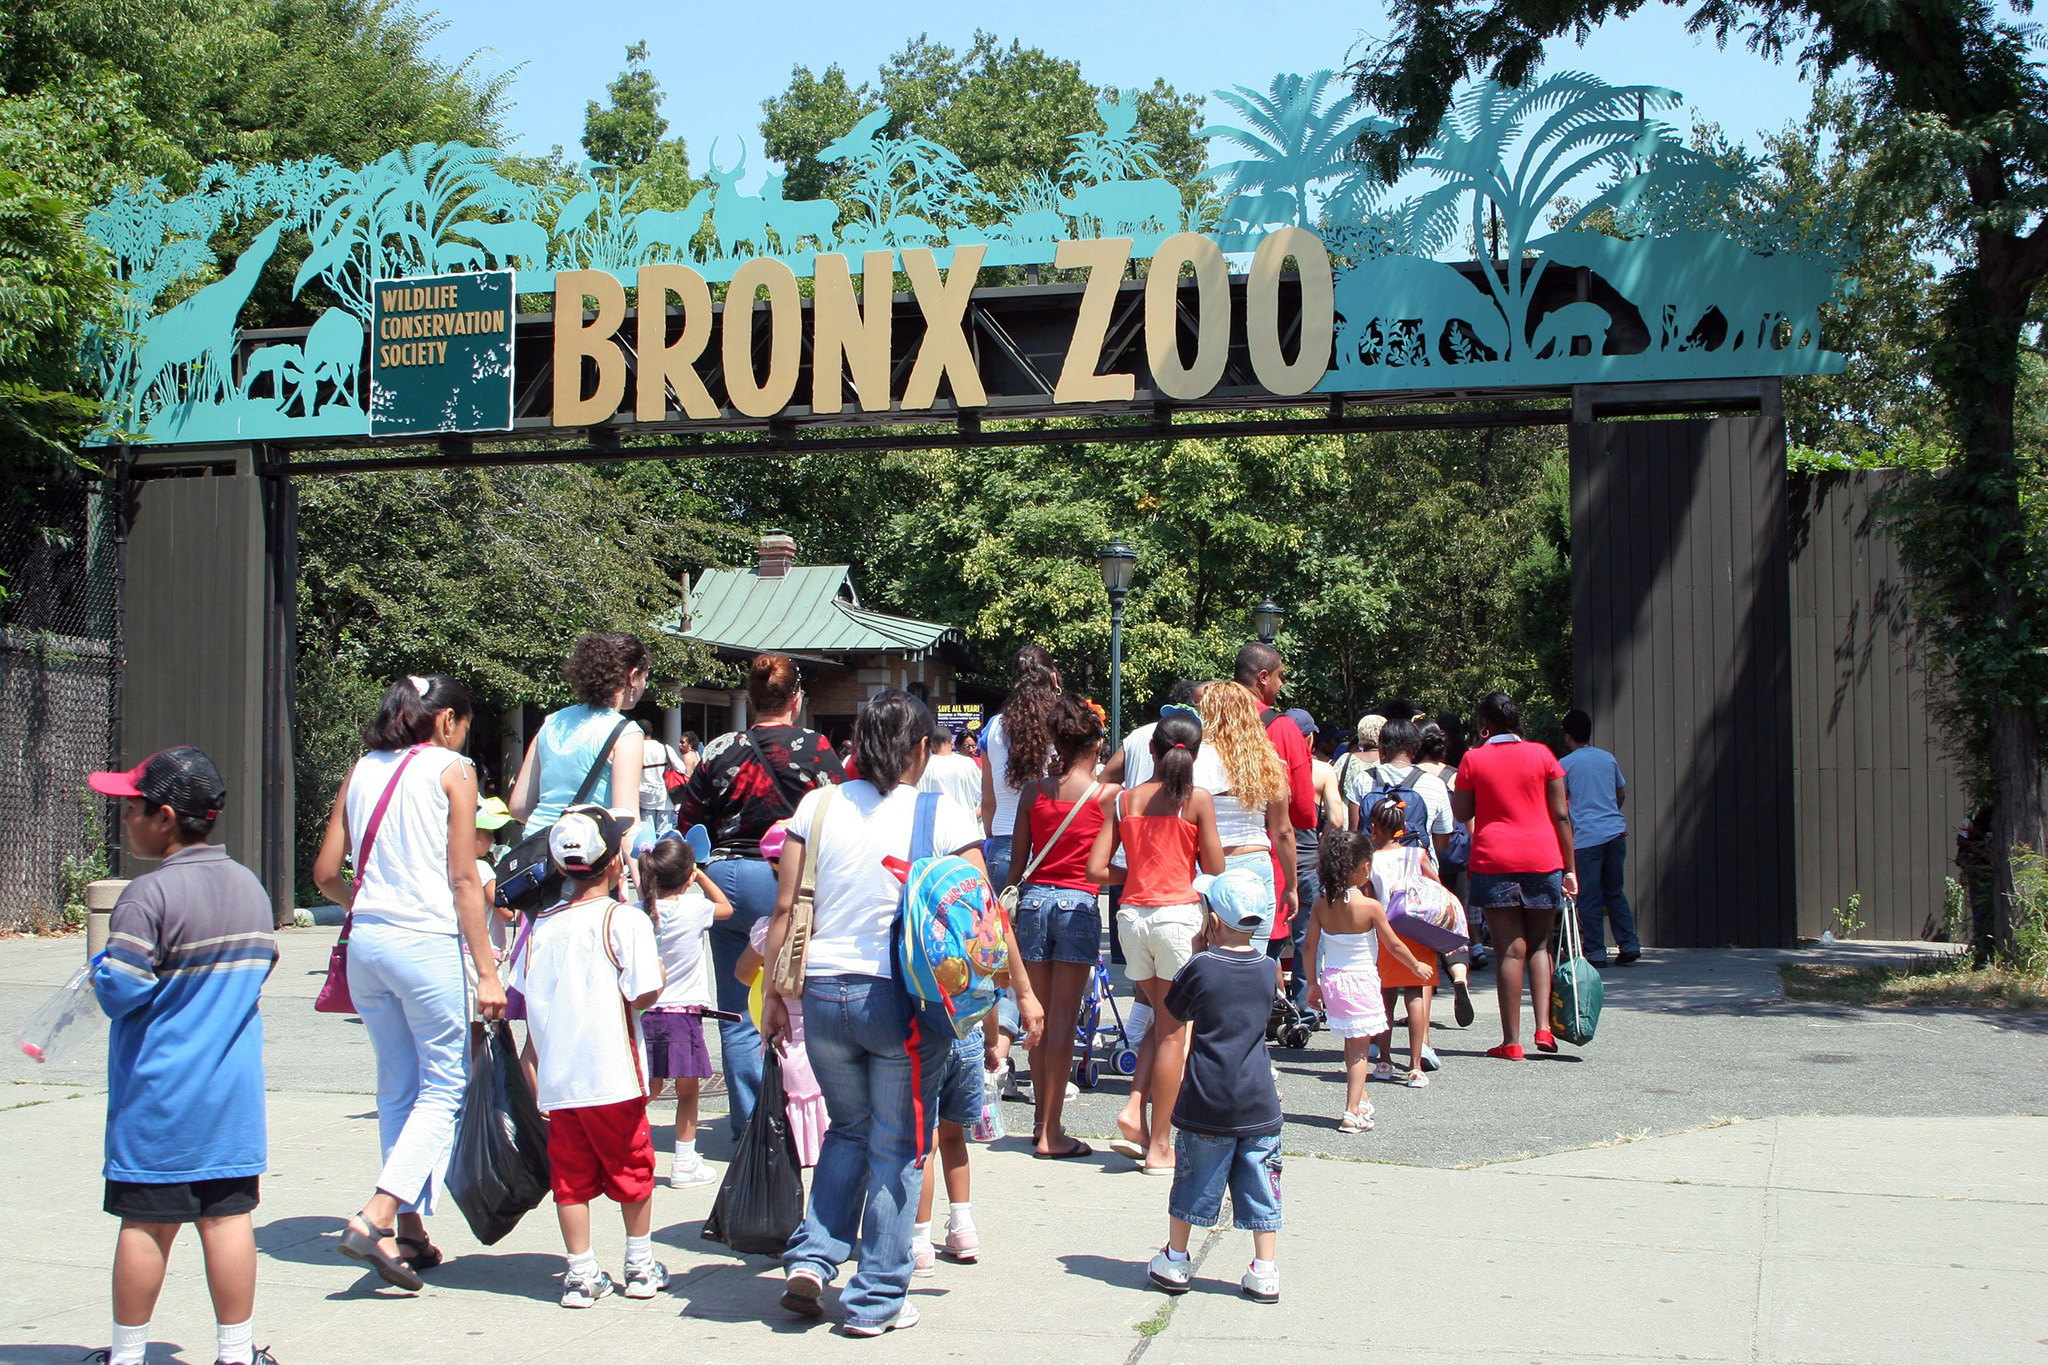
pixel 1523 869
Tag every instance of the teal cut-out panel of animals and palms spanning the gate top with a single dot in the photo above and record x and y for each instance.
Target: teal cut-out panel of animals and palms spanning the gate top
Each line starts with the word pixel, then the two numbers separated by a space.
pixel 1439 290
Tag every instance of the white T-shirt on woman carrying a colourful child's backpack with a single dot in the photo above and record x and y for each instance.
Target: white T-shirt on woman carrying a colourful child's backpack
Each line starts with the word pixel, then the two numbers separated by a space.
pixel 857 895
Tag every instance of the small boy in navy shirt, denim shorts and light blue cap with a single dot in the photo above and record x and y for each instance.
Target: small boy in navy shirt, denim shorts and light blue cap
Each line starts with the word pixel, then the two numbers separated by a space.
pixel 1228 1118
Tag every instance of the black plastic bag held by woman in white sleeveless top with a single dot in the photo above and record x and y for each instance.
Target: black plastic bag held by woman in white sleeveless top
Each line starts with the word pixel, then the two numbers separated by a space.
pixel 499 1170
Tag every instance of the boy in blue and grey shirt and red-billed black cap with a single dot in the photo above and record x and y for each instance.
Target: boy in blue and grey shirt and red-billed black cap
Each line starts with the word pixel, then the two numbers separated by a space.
pixel 187 955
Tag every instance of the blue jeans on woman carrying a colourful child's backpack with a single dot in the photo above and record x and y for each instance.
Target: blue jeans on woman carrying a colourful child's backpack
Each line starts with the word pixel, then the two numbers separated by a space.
pixel 882 1094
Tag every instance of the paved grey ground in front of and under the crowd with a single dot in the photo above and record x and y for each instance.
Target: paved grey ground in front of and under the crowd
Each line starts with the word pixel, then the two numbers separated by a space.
pixel 1904 1219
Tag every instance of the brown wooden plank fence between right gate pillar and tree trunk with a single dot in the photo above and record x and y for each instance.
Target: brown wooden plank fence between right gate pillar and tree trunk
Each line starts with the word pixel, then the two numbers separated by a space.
pixel 1879 799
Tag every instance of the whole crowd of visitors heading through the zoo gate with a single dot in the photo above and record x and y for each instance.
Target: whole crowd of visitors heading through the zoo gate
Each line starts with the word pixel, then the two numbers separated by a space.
pixel 1244 863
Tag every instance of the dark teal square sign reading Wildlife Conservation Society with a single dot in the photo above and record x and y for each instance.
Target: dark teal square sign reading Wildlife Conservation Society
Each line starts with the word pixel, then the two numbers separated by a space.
pixel 441 355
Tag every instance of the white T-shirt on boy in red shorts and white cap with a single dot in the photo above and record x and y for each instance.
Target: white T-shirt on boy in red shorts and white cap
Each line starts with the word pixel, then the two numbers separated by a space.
pixel 577 1002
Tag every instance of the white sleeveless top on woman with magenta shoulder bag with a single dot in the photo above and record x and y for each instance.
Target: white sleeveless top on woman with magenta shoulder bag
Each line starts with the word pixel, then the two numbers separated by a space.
pixel 407 877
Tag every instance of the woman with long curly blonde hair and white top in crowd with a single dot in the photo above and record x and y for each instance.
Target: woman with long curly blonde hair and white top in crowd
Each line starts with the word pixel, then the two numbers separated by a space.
pixel 1242 770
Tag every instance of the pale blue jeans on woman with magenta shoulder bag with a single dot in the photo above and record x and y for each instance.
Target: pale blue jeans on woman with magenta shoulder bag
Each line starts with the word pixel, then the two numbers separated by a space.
pixel 413 994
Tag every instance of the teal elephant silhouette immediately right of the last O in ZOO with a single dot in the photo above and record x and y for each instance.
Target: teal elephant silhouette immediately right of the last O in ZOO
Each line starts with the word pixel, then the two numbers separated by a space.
pixel 1396 298
